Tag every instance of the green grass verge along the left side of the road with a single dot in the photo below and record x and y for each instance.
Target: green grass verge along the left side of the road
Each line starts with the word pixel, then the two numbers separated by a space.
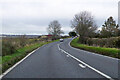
pixel 10 60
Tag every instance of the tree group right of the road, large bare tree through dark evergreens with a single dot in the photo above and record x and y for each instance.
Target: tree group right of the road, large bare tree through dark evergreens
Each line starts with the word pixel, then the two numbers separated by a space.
pixel 85 26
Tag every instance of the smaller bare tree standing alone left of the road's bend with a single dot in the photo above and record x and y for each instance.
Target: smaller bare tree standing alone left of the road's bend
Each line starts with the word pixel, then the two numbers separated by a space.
pixel 55 29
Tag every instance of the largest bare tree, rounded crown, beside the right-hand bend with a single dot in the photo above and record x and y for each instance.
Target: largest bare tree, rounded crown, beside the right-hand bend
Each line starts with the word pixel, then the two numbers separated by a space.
pixel 84 25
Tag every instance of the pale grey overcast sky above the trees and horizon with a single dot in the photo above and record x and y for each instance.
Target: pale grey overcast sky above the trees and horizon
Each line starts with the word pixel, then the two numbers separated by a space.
pixel 33 16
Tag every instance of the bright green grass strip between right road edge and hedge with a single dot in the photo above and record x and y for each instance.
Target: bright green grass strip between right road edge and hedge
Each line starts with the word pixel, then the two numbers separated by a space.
pixel 112 52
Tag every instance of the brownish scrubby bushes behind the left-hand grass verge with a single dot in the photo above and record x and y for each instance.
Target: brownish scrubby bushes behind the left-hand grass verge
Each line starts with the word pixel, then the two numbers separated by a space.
pixel 10 45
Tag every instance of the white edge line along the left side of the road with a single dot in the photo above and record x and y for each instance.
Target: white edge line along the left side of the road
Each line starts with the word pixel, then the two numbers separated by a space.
pixel 10 69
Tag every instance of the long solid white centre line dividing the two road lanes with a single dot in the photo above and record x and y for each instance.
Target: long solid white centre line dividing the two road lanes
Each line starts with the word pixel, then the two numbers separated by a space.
pixel 99 72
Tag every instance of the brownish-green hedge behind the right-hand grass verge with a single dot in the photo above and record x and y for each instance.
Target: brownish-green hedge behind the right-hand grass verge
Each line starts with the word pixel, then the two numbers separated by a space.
pixel 113 42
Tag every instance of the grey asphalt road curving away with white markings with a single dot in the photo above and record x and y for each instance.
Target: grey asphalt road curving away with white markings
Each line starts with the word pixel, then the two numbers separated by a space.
pixel 59 60
